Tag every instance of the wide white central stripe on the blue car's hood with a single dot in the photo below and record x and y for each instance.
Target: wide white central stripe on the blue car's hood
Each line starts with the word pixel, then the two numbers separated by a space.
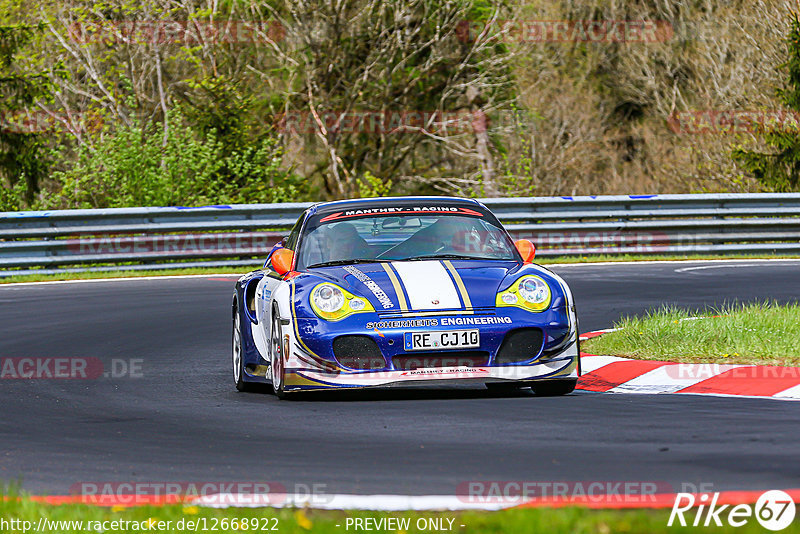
pixel 428 285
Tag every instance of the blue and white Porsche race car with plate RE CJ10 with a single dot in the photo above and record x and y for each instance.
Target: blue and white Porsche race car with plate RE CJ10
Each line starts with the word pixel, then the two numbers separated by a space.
pixel 403 291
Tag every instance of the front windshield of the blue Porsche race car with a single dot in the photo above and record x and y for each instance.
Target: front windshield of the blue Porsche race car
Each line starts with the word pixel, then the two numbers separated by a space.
pixel 403 237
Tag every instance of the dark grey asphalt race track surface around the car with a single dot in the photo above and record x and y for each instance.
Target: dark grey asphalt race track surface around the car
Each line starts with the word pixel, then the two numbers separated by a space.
pixel 182 420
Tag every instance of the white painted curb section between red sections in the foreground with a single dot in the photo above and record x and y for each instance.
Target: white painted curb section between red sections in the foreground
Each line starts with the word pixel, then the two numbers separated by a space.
pixel 389 503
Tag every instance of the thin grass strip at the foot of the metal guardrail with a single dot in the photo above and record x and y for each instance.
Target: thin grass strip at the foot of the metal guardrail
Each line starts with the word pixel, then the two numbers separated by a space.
pixel 242 270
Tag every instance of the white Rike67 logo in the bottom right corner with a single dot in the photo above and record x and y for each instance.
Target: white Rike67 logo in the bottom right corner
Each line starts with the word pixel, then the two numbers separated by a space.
pixel 774 510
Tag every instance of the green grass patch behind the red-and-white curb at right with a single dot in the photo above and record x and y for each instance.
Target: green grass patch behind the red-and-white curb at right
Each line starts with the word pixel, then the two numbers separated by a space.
pixel 764 334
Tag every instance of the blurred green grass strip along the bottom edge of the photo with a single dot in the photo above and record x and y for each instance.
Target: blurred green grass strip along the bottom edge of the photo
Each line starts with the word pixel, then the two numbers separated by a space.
pixel 534 520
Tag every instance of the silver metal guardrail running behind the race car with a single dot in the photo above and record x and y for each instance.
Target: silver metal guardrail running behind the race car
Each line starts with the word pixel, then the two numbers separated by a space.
pixel 162 238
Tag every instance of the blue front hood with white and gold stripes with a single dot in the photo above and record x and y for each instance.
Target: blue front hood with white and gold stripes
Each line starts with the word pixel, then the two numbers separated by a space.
pixel 429 285
